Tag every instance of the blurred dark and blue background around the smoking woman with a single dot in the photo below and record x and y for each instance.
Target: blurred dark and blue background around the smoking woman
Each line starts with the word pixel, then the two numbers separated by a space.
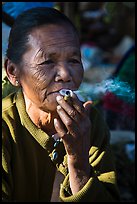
pixel 107 36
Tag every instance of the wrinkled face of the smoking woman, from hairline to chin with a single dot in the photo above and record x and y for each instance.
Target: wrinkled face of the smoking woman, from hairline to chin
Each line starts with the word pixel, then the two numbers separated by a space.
pixel 52 63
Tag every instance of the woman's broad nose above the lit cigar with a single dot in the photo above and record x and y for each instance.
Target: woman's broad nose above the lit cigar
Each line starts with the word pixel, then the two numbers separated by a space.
pixel 63 73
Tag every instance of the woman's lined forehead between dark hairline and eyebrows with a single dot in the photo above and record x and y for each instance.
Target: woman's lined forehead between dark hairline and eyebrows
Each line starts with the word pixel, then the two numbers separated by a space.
pixel 53 40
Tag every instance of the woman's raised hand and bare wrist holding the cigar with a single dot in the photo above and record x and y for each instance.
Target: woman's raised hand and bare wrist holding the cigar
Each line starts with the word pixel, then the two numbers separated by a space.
pixel 74 126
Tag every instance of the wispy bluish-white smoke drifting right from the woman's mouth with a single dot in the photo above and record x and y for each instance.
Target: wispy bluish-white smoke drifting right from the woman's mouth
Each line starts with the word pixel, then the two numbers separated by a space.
pixel 119 88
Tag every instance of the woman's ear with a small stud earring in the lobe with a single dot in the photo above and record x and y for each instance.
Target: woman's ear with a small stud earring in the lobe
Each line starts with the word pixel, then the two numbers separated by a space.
pixel 12 72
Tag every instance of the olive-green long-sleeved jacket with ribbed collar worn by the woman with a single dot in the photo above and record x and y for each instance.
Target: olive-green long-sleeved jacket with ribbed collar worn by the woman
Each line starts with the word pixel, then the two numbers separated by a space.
pixel 28 172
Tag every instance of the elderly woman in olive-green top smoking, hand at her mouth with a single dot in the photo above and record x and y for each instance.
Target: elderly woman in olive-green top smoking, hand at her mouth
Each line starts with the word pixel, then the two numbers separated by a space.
pixel 43 132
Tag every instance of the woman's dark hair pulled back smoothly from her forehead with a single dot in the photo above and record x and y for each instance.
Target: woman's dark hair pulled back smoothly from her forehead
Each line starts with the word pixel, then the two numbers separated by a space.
pixel 24 24
